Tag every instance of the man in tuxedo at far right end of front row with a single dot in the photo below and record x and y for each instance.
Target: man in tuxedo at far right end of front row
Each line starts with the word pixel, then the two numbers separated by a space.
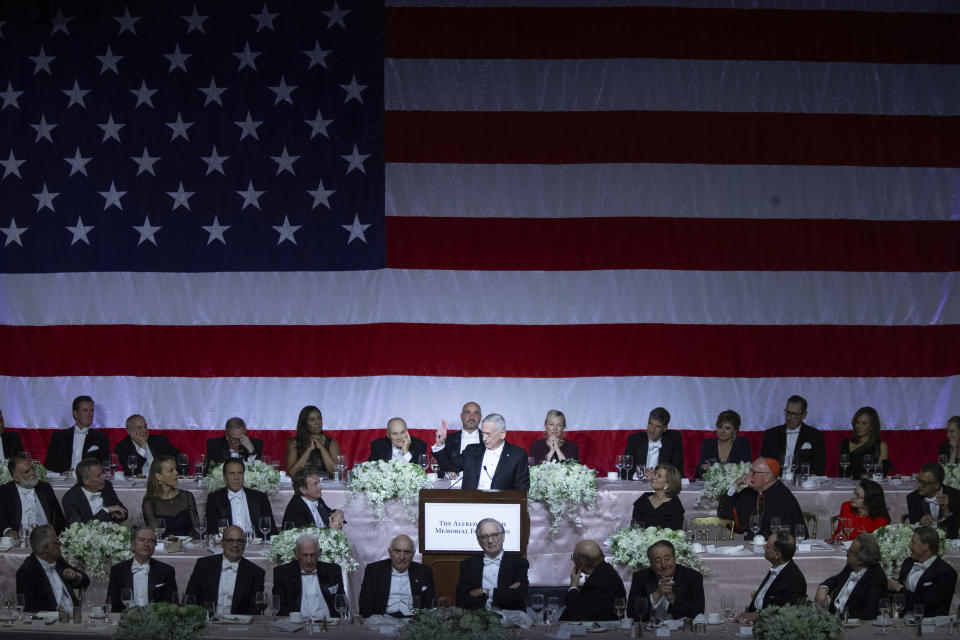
pixel 925 578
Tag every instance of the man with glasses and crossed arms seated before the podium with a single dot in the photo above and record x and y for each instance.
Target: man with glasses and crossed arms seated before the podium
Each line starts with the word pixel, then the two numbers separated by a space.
pixel 495 578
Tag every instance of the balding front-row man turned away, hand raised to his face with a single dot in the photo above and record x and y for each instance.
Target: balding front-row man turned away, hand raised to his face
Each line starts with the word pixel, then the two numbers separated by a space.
pixel 594 585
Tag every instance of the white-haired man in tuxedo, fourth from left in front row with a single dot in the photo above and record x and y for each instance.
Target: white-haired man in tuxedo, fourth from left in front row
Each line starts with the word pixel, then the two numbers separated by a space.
pixel 306 584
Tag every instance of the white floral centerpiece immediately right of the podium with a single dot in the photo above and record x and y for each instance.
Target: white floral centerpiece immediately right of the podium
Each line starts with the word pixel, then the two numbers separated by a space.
pixel 566 489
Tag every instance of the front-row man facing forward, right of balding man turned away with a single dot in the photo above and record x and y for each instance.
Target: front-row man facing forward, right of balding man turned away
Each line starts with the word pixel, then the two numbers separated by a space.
pixel 667 584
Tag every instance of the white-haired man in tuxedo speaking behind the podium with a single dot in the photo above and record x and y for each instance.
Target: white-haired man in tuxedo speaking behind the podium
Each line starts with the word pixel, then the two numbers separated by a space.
pixel 497 464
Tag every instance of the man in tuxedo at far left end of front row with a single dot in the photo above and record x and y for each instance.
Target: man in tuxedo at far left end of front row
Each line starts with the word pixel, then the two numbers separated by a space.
pixel 45 579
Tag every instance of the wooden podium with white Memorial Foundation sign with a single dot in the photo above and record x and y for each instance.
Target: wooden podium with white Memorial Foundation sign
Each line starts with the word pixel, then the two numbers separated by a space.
pixel 445 558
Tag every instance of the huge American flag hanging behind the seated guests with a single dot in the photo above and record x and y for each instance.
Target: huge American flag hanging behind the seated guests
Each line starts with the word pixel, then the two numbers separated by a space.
pixel 240 208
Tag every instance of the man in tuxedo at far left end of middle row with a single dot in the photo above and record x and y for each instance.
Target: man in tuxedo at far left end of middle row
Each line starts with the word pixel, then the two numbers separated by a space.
pixel 26 501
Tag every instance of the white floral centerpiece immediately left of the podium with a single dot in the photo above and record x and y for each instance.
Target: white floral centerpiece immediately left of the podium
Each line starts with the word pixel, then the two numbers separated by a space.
pixel 379 481
